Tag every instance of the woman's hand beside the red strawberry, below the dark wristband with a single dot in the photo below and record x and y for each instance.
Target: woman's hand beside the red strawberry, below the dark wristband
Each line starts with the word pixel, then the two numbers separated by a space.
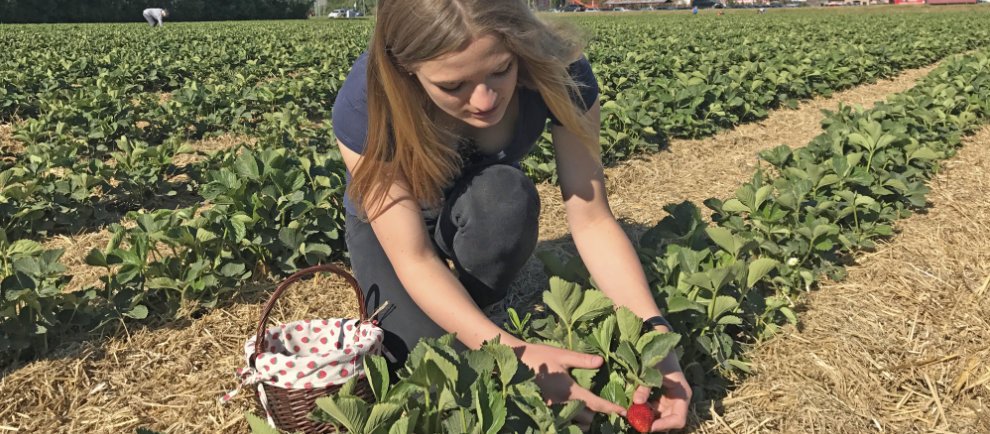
pixel 673 404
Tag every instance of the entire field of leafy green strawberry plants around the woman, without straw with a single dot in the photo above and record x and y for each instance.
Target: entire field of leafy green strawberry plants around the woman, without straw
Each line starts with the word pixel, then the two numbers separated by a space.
pixel 106 125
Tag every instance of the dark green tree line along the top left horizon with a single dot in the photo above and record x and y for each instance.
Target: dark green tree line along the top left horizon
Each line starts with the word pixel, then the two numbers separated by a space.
pixel 78 11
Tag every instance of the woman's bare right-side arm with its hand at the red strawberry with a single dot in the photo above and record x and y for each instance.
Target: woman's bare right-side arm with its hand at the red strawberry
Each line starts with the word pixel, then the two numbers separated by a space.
pixel 610 256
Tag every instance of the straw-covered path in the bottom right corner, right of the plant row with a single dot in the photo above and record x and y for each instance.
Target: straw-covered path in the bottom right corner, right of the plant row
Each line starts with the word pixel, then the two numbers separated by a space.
pixel 902 345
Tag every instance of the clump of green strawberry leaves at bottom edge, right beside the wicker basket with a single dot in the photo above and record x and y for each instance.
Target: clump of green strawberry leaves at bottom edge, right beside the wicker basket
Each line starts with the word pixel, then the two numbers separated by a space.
pixel 438 390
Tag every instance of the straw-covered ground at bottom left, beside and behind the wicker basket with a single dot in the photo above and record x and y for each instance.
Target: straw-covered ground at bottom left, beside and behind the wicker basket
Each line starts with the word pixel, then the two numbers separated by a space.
pixel 166 377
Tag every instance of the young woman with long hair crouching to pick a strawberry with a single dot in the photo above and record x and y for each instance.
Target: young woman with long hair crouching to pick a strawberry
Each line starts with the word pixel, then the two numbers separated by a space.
pixel 432 122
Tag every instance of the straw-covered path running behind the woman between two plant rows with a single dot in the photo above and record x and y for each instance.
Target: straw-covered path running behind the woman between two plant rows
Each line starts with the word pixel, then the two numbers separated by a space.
pixel 692 170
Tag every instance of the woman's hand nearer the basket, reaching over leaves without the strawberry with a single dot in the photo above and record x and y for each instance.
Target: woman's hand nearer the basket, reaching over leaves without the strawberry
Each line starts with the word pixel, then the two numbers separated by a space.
pixel 552 367
